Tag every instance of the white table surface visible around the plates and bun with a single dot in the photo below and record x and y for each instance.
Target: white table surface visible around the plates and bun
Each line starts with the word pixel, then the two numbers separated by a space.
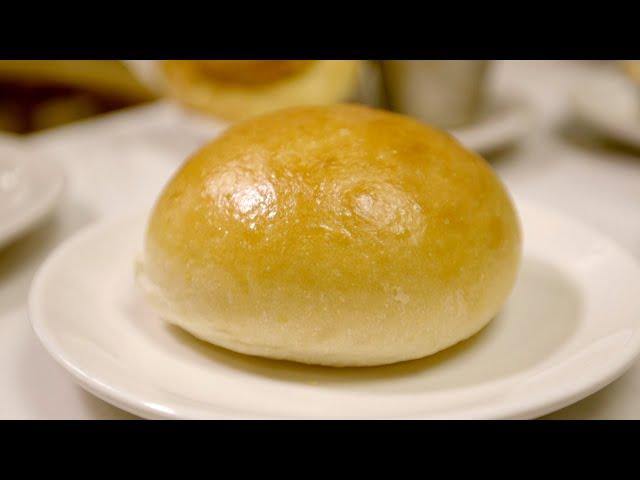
pixel 560 164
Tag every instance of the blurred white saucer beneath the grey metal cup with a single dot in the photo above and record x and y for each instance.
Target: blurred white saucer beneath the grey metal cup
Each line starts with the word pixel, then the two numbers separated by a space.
pixel 505 120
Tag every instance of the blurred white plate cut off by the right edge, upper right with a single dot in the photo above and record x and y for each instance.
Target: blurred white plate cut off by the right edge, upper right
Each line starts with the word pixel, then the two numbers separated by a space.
pixel 610 103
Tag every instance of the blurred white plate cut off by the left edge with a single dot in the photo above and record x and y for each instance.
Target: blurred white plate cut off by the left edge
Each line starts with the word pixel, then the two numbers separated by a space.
pixel 29 189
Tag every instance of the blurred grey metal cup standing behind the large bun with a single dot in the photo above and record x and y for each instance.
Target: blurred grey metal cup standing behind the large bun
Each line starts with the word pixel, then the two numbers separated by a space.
pixel 445 93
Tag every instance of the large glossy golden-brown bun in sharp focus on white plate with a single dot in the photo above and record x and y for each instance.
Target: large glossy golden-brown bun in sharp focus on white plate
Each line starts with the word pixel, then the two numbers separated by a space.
pixel 339 235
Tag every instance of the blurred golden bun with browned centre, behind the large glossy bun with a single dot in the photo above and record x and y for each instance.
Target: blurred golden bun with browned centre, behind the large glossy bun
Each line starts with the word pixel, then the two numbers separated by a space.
pixel 236 89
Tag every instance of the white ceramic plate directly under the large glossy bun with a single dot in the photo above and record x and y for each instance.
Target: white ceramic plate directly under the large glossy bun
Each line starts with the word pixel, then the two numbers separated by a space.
pixel 570 327
